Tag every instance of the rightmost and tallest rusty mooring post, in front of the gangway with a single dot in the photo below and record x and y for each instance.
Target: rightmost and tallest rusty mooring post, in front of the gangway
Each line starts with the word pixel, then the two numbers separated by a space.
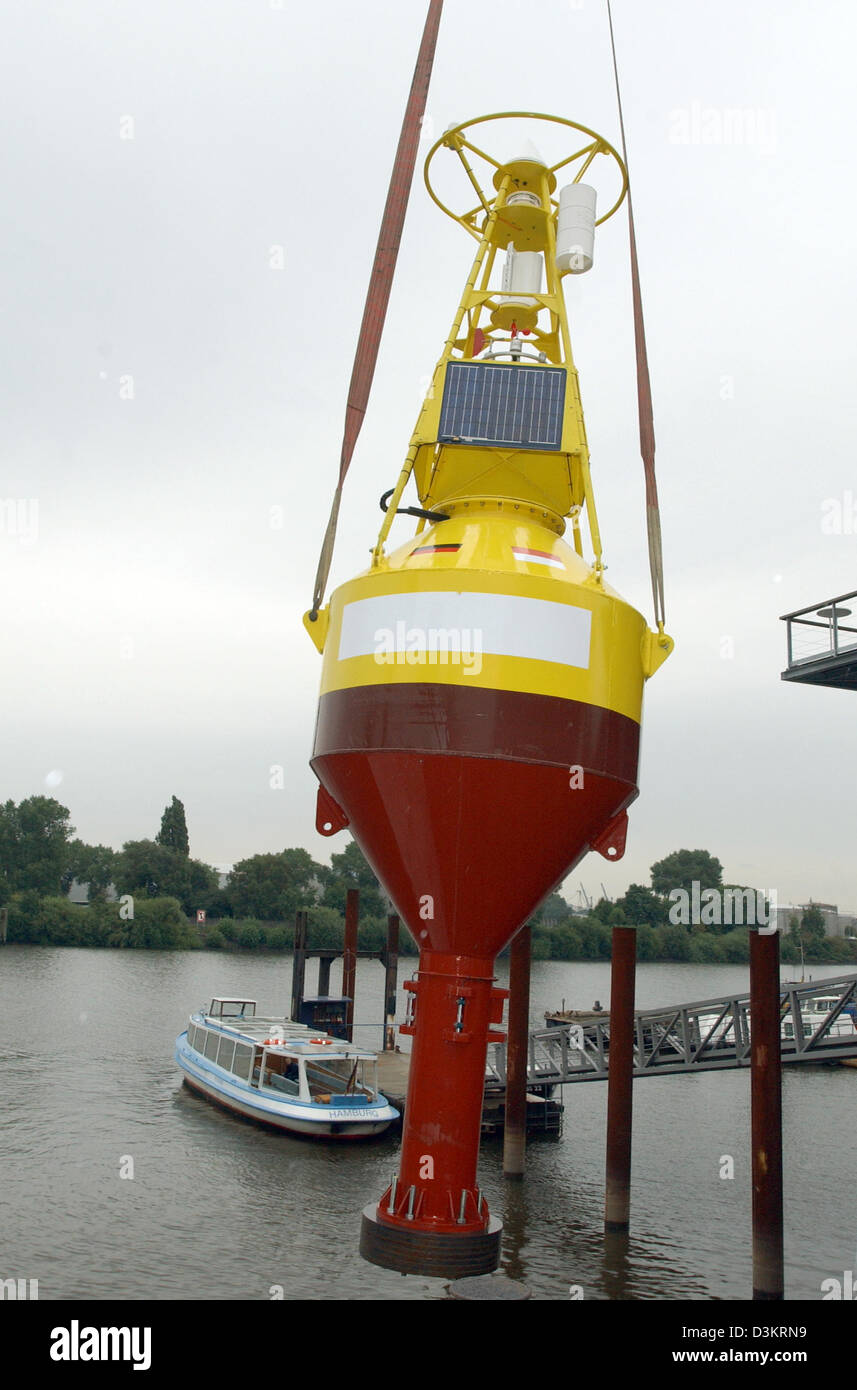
pixel 766 1115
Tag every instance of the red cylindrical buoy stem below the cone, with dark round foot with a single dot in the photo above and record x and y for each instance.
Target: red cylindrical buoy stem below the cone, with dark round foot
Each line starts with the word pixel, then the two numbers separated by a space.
pixel 433 1218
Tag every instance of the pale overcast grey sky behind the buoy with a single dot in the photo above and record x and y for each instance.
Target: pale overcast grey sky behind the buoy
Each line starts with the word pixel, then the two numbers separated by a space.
pixel 192 195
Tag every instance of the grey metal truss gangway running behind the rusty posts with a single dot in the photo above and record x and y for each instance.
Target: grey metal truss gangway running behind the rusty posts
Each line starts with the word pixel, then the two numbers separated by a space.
pixel 819 1024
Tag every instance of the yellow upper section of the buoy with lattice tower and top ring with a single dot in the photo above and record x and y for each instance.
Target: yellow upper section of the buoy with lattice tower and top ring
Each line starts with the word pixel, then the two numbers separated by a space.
pixel 501 497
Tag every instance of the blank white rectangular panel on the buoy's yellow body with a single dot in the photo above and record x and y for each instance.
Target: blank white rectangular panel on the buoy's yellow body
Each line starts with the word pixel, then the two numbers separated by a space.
pixel 440 621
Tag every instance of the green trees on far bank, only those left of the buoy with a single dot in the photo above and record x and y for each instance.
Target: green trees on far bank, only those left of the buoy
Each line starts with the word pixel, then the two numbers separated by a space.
pixel 148 893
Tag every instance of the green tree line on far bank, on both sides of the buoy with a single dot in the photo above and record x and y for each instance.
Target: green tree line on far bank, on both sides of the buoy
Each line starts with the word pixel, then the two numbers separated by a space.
pixel 159 889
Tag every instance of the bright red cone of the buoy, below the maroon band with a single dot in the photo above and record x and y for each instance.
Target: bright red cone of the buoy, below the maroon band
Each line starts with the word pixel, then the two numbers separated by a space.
pixel 474 842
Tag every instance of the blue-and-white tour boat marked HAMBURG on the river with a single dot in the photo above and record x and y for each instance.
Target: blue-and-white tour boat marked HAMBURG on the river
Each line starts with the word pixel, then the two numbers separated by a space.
pixel 283 1074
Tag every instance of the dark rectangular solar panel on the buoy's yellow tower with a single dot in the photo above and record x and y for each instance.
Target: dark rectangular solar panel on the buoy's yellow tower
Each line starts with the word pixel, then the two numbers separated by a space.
pixel 504 404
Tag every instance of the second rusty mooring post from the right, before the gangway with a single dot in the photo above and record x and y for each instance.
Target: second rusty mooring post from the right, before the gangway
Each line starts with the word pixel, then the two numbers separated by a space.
pixel 620 1079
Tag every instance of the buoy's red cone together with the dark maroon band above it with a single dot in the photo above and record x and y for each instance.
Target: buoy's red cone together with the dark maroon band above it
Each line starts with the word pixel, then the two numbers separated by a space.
pixel 472 806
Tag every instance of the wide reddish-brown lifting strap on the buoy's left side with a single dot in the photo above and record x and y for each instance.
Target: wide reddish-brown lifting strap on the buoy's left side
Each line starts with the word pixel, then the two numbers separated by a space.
pixel 381 283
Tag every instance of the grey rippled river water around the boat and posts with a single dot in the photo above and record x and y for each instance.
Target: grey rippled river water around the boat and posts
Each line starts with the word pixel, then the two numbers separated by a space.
pixel 219 1209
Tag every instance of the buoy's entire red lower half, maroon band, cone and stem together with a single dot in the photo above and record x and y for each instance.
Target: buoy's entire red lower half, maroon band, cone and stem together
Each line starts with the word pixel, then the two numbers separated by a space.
pixel 465 807
